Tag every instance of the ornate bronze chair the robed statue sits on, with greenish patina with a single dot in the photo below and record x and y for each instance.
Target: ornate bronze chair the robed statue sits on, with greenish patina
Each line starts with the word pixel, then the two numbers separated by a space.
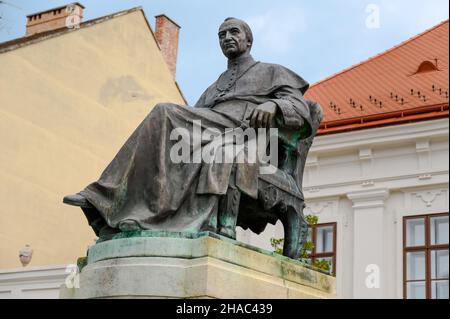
pixel 280 195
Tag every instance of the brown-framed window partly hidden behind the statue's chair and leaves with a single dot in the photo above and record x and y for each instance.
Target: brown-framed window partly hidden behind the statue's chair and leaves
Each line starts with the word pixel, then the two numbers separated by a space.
pixel 323 237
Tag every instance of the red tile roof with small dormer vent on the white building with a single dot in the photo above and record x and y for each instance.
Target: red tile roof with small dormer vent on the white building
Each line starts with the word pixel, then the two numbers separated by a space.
pixel 406 83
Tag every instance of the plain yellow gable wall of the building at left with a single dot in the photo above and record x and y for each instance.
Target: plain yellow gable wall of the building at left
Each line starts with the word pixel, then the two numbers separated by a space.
pixel 67 104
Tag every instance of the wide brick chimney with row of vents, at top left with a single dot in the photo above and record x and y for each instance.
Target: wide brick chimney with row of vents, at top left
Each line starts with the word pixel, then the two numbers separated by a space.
pixel 69 16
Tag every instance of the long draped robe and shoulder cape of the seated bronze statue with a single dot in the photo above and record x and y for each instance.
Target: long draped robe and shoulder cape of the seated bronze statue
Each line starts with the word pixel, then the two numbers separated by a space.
pixel 143 184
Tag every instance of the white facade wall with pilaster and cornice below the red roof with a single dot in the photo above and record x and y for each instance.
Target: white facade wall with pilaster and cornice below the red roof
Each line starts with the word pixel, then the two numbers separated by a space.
pixel 366 181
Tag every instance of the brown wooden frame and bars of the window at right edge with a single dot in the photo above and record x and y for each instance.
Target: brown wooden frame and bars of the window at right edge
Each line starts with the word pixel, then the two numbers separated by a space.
pixel 427 248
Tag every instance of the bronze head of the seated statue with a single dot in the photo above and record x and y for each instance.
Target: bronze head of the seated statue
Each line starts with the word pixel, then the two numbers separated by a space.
pixel 235 37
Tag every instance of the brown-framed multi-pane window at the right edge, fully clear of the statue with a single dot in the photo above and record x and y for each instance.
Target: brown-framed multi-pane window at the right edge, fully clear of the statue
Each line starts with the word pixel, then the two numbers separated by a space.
pixel 425 257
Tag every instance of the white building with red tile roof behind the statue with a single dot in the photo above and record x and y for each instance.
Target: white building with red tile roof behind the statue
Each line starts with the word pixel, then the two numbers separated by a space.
pixel 377 174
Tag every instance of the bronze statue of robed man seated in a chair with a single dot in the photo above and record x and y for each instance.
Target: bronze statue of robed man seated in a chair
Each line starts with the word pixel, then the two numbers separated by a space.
pixel 142 188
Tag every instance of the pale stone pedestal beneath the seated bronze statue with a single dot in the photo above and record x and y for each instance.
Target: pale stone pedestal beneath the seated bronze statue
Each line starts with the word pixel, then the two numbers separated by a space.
pixel 157 265
